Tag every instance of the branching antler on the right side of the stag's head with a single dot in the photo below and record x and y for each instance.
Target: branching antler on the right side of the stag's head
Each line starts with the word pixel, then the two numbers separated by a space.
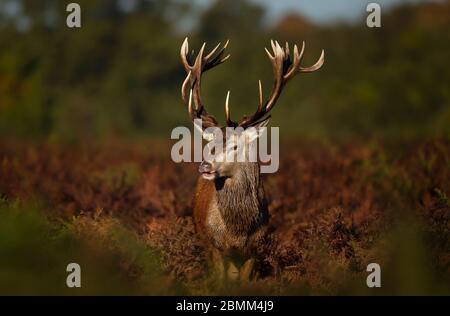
pixel 284 68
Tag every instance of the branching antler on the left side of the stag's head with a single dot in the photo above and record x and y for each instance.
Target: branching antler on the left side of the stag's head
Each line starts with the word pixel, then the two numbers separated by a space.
pixel 194 70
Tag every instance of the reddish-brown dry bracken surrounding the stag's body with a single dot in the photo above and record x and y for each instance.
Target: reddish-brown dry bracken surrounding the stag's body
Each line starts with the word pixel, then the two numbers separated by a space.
pixel 333 210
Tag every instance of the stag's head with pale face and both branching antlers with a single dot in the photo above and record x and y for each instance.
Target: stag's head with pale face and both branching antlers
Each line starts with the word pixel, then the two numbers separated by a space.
pixel 225 162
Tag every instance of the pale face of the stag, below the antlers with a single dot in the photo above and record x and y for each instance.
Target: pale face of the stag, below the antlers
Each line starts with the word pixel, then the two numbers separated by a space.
pixel 225 153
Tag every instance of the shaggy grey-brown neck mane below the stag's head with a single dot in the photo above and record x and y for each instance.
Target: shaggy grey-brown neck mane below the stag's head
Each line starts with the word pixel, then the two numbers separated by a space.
pixel 239 199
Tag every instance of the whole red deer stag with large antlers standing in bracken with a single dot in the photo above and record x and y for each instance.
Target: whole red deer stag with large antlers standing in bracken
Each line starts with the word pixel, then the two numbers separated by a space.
pixel 230 210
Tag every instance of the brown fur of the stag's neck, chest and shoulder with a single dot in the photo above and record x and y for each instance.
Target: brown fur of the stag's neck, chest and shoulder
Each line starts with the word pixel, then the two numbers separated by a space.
pixel 231 213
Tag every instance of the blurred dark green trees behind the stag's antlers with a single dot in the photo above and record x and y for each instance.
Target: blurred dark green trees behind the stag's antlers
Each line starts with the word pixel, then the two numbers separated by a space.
pixel 119 75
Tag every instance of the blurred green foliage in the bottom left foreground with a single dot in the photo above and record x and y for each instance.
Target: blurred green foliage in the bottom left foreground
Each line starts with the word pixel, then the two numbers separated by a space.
pixel 35 252
